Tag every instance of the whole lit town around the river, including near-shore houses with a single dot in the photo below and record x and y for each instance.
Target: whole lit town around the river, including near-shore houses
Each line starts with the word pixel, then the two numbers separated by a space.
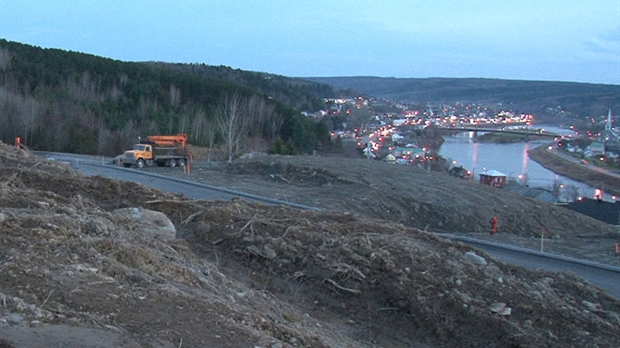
pixel 412 135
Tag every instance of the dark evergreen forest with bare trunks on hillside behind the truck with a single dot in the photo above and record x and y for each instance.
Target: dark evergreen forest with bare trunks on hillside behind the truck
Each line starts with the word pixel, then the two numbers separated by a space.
pixel 65 101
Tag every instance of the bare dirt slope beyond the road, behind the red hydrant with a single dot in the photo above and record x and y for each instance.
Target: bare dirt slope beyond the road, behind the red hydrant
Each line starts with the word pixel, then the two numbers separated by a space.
pixel 415 197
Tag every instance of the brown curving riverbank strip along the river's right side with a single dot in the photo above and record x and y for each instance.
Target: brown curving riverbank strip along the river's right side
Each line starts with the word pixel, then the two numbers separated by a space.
pixel 575 171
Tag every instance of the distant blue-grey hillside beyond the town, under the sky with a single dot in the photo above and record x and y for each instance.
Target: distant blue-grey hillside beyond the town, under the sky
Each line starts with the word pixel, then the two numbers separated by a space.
pixel 542 97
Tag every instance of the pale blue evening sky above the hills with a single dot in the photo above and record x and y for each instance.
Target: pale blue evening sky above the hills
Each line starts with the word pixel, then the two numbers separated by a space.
pixel 544 40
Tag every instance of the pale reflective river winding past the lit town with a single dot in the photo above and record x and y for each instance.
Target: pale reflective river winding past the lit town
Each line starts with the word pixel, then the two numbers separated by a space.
pixel 512 160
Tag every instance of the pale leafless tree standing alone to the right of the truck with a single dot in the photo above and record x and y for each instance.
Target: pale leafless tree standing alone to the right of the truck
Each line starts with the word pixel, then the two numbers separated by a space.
pixel 229 115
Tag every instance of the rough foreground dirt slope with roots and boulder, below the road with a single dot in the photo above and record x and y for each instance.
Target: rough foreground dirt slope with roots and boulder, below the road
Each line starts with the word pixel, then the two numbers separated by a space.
pixel 90 262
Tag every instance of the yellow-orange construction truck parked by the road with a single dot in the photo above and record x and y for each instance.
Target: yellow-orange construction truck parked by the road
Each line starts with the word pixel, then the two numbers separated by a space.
pixel 160 150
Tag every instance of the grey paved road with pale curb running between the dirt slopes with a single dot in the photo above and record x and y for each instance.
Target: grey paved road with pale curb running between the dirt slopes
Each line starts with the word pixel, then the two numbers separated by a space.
pixel 607 277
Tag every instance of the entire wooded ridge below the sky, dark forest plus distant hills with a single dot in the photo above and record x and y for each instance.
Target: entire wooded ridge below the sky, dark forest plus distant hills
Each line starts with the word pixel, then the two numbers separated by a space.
pixel 67 101
